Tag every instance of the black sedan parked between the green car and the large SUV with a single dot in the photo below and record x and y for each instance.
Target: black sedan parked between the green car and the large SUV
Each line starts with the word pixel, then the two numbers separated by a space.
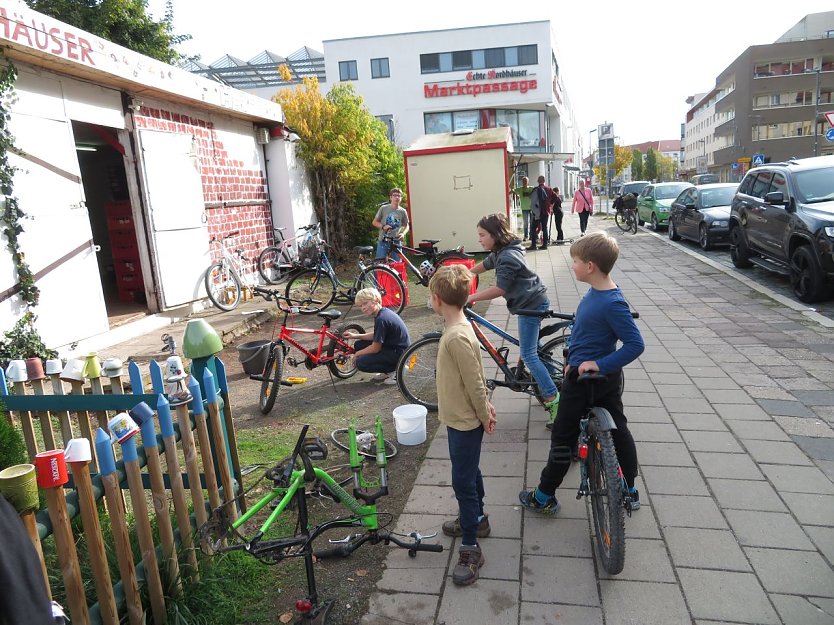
pixel 702 214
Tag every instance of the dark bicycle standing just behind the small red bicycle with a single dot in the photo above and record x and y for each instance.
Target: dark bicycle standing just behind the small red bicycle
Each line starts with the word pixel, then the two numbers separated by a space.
pixel 319 287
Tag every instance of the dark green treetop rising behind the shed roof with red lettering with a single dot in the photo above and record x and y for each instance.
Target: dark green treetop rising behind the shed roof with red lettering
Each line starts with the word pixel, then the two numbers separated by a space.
pixel 124 22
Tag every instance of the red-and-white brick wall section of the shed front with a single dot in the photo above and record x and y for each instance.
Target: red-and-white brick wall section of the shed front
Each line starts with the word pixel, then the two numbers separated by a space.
pixel 225 179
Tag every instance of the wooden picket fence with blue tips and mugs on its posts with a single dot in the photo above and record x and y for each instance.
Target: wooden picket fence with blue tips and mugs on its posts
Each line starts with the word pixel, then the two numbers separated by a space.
pixel 203 435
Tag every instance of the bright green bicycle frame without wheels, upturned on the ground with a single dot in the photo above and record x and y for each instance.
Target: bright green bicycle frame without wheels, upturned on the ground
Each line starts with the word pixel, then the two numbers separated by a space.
pixel 288 486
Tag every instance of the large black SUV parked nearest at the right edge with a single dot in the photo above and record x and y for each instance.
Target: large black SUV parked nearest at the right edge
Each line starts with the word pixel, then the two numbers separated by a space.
pixel 782 219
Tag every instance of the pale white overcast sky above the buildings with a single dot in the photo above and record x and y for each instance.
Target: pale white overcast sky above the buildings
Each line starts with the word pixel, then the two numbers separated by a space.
pixel 630 63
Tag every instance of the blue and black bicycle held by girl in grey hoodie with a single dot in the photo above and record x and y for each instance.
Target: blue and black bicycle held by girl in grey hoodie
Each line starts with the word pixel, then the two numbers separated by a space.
pixel 416 367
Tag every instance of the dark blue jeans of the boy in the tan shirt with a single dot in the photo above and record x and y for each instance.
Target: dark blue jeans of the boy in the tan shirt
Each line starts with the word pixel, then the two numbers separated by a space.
pixel 467 481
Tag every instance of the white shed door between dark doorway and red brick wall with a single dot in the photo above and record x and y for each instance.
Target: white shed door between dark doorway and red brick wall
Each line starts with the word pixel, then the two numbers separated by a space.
pixel 178 228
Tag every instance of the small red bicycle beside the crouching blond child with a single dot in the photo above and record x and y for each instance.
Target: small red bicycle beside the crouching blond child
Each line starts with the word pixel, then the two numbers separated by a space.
pixel 332 350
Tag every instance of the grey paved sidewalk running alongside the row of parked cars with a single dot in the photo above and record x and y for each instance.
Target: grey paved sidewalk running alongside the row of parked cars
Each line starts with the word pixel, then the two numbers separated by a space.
pixel 731 406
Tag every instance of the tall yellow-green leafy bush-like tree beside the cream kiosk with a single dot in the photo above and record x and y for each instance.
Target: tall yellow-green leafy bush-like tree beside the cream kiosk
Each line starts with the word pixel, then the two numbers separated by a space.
pixel 350 161
